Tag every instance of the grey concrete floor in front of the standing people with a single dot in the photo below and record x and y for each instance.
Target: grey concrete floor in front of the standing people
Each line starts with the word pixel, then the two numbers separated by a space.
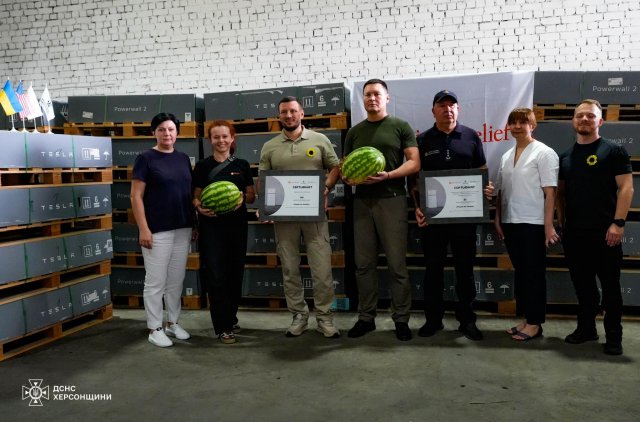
pixel 268 377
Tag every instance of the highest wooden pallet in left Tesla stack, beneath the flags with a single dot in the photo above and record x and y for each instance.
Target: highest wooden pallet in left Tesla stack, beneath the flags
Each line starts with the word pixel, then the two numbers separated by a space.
pixel 37 176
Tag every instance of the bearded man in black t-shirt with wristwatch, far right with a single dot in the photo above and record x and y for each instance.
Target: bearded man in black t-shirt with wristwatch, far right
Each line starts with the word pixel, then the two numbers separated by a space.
pixel 595 189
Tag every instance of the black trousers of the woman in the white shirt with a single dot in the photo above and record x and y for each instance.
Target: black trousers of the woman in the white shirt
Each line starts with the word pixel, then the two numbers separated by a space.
pixel 525 244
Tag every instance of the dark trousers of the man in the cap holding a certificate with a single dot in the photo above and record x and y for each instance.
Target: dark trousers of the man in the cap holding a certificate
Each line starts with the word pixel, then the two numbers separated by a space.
pixel 435 241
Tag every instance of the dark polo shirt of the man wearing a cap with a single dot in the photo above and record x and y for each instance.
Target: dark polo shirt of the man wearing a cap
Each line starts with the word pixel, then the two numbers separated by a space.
pixel 460 149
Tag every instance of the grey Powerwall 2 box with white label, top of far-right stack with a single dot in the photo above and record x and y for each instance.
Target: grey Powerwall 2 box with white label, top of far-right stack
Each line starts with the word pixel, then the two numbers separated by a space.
pixel 612 87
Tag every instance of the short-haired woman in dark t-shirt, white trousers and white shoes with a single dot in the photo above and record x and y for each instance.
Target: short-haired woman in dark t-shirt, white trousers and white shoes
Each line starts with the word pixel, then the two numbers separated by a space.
pixel 161 202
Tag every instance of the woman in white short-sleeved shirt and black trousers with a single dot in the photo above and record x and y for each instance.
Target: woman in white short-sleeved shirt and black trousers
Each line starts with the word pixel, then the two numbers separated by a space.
pixel 526 190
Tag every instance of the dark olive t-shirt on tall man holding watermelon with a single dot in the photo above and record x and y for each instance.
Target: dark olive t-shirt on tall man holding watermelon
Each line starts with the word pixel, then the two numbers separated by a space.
pixel 390 136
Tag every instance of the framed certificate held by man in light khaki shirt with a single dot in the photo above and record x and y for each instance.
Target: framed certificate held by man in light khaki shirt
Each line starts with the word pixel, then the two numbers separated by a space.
pixel 292 195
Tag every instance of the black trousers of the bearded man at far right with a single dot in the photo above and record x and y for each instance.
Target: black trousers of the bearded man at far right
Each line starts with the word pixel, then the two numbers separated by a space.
pixel 589 256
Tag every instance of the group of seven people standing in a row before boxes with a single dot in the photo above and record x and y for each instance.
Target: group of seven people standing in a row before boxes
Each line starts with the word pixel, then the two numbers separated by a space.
pixel 588 189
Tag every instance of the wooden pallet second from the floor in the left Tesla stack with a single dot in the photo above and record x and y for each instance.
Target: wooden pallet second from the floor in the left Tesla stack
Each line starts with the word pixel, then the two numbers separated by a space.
pixel 36 285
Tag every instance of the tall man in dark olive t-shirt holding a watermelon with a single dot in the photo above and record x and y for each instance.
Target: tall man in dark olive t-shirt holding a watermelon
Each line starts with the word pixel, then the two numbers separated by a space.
pixel 380 210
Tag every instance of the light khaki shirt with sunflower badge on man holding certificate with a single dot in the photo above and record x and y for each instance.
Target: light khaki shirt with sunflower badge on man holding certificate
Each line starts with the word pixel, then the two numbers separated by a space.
pixel 312 151
